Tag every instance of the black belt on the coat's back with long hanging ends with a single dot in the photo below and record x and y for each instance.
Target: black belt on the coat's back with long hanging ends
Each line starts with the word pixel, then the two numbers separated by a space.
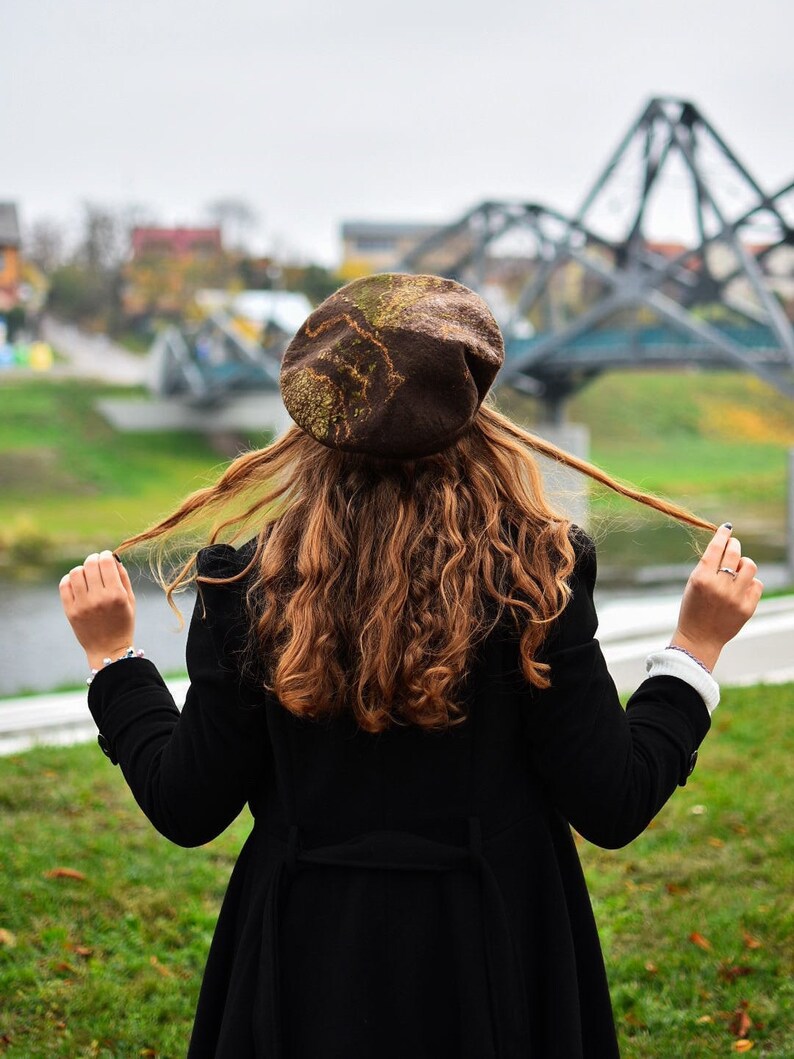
pixel 404 852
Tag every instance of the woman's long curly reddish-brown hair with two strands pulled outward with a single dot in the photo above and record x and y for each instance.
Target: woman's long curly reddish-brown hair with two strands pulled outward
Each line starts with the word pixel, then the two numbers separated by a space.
pixel 373 582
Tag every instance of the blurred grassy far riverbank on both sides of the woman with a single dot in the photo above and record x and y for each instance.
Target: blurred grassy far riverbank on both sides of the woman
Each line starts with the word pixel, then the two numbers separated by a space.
pixel 717 443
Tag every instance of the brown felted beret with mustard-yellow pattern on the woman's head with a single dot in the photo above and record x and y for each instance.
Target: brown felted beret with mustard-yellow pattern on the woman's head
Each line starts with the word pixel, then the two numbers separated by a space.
pixel 392 366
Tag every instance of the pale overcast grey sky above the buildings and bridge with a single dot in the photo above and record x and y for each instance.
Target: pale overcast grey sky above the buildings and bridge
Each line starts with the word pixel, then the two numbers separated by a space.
pixel 319 112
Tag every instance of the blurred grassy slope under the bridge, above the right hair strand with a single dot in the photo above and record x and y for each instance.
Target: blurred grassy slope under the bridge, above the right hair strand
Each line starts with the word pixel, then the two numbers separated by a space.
pixel 717 443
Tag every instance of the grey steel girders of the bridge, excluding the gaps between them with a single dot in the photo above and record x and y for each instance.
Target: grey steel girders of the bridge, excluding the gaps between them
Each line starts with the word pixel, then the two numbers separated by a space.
pixel 630 274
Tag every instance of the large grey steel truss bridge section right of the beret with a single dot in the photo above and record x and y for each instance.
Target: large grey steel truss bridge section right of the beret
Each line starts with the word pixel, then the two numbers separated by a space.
pixel 580 296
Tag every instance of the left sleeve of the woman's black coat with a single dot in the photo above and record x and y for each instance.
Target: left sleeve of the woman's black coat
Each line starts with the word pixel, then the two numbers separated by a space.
pixel 192 774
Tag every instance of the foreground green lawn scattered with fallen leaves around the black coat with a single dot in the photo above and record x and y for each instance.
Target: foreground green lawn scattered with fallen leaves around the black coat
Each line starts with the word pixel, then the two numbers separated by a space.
pixel 696 916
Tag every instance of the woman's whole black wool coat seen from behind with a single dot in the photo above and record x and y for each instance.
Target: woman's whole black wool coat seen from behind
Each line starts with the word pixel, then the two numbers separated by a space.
pixel 407 894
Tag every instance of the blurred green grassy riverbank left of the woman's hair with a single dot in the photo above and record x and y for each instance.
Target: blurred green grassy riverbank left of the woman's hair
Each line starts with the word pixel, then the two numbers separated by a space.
pixel 69 482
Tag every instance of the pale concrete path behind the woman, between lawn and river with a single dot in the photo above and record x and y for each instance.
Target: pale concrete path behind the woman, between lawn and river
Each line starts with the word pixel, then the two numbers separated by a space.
pixel 764 653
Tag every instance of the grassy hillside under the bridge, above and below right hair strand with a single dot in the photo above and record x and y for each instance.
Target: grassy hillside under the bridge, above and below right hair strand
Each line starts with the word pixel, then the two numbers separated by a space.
pixel 716 443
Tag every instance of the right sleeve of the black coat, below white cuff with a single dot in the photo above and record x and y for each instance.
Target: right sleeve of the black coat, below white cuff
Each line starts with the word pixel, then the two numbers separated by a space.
pixel 609 771
